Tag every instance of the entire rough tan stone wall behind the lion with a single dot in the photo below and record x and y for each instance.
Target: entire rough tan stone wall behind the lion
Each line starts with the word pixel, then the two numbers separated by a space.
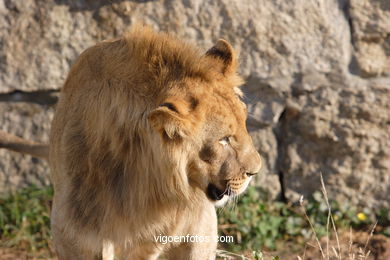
pixel 317 71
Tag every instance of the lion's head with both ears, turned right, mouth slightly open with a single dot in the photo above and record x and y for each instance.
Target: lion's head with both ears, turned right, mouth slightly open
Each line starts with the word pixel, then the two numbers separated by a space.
pixel 205 118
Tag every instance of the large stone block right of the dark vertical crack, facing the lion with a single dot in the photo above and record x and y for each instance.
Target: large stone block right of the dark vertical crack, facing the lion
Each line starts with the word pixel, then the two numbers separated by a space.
pixel 342 129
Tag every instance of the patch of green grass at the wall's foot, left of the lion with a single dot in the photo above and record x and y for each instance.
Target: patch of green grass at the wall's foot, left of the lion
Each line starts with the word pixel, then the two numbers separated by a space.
pixel 24 218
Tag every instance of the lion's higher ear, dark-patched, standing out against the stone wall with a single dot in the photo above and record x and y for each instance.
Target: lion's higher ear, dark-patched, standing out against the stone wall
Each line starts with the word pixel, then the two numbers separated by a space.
pixel 225 54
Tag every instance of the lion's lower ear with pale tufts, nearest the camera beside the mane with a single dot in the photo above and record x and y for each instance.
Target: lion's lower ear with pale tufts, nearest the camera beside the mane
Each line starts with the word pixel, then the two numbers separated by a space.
pixel 168 121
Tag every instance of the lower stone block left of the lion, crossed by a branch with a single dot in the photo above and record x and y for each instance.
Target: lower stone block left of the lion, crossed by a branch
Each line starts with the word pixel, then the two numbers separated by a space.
pixel 32 122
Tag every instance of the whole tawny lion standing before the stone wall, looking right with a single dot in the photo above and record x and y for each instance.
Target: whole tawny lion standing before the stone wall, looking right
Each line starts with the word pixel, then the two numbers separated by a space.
pixel 148 136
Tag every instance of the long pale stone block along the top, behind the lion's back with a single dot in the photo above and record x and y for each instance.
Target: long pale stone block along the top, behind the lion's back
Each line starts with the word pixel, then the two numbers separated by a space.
pixel 40 39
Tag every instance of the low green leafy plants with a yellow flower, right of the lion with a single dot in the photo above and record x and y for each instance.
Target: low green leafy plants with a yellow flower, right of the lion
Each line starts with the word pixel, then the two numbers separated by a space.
pixel 257 223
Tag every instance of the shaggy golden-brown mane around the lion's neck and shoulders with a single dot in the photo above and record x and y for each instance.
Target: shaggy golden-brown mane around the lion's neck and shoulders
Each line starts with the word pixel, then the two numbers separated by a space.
pixel 107 139
